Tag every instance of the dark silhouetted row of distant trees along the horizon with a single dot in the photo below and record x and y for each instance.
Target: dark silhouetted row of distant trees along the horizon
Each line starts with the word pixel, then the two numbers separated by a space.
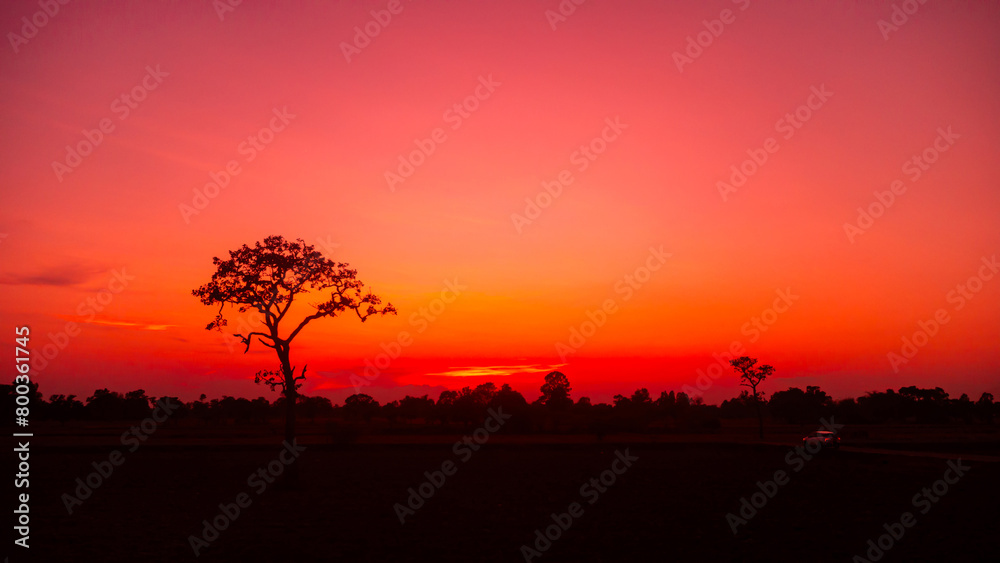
pixel 554 410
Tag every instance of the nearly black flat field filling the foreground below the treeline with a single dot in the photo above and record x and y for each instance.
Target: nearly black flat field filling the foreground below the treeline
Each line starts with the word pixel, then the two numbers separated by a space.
pixel 670 505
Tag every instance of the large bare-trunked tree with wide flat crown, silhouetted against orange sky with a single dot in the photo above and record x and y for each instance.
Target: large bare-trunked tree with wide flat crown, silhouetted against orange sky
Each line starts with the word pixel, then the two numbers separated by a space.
pixel 269 277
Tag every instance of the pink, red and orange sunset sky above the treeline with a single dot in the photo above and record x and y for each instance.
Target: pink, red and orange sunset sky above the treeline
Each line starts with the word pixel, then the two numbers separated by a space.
pixel 627 192
